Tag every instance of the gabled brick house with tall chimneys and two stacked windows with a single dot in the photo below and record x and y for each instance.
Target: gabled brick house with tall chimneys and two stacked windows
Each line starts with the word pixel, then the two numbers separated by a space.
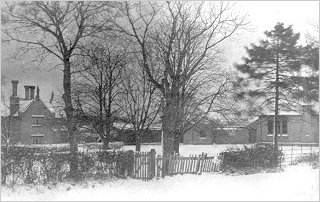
pixel 31 120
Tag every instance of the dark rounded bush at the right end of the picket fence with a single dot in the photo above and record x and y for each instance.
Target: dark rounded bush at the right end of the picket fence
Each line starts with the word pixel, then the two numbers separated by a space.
pixel 250 157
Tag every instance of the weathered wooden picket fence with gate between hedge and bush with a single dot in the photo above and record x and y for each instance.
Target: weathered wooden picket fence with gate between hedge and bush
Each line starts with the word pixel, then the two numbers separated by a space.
pixel 147 165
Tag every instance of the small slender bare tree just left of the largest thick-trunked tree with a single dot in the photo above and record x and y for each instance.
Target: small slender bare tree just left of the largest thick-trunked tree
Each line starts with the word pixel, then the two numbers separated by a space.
pixel 140 101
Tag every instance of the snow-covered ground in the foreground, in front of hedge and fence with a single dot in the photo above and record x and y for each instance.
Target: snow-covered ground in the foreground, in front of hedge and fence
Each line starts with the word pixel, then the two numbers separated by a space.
pixel 299 182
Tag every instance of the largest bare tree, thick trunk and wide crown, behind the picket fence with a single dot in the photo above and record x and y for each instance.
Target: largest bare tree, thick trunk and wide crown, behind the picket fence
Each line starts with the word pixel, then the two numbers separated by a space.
pixel 186 38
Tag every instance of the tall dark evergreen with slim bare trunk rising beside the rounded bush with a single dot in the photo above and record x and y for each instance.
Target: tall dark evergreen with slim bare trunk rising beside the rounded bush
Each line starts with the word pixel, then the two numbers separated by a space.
pixel 268 70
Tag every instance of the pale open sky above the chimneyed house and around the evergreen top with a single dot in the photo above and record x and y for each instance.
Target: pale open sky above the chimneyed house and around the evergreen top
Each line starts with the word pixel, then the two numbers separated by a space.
pixel 263 15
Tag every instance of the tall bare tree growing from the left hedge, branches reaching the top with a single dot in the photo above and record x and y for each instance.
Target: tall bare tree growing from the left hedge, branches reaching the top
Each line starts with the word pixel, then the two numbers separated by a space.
pixel 56 28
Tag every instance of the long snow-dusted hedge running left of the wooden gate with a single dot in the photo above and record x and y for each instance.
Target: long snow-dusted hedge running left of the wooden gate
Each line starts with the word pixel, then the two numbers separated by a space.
pixel 26 166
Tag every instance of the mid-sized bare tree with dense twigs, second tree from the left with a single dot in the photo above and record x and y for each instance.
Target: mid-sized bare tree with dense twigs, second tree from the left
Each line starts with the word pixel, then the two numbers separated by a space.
pixel 100 66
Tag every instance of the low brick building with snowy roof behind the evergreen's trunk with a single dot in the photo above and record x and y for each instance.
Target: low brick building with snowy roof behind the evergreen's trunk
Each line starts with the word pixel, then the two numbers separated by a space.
pixel 294 126
